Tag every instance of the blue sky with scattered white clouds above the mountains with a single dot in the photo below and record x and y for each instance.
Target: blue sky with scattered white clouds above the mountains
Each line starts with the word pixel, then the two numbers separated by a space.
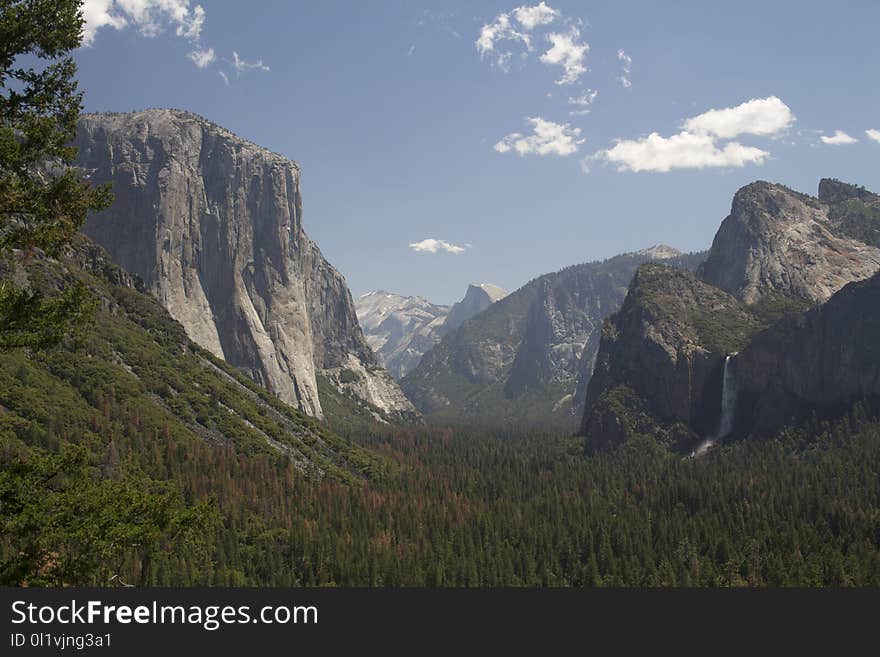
pixel 444 143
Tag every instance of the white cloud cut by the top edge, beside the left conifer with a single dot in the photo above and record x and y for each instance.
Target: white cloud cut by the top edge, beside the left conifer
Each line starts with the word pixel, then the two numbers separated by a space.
pixel 149 17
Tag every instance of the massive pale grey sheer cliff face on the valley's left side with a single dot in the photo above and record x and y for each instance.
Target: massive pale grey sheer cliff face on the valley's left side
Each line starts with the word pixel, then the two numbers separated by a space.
pixel 213 225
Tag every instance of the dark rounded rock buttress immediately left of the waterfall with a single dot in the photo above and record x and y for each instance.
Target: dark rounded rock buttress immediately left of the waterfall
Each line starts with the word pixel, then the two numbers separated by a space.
pixel 667 345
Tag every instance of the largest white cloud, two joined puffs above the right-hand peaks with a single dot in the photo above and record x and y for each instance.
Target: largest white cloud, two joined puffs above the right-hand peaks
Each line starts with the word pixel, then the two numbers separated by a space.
pixel 697 145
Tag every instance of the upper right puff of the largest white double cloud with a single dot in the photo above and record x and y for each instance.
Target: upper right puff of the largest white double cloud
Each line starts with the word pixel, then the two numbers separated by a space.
pixel 759 116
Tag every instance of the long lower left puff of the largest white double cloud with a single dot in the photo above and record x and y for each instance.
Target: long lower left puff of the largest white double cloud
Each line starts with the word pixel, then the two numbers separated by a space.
pixel 682 151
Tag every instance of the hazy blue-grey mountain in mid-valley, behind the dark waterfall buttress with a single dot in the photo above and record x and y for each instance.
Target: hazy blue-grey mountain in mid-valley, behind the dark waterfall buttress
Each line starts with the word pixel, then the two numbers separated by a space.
pixel 529 355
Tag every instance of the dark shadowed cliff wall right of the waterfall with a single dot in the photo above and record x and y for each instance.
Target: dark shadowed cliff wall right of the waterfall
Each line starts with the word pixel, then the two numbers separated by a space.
pixel 820 362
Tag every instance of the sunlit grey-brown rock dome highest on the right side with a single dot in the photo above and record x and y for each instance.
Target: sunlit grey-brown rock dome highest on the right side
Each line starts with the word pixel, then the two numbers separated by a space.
pixel 776 240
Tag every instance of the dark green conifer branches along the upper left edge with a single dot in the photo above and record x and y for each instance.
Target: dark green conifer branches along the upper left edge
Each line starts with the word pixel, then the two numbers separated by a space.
pixel 43 202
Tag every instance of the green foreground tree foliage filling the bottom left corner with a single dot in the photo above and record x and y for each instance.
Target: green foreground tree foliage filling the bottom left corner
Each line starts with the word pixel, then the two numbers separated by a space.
pixel 62 523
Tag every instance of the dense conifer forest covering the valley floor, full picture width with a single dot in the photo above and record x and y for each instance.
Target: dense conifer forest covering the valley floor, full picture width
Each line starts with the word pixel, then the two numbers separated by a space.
pixel 453 508
